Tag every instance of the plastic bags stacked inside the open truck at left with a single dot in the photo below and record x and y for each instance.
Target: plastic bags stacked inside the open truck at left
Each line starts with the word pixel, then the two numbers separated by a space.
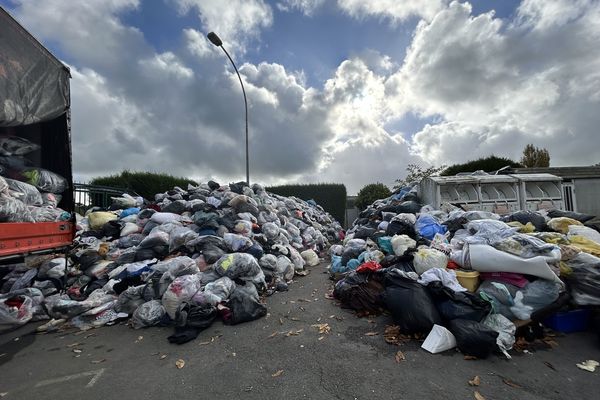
pixel 28 193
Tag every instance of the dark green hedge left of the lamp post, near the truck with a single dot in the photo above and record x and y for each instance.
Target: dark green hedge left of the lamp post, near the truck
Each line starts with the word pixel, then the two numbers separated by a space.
pixel 146 184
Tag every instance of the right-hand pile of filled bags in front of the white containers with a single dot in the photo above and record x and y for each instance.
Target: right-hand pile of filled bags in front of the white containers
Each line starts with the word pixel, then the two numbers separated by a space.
pixel 465 277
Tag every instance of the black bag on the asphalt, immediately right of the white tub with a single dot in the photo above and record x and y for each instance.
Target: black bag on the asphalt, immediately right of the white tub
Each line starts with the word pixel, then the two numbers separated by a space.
pixel 473 338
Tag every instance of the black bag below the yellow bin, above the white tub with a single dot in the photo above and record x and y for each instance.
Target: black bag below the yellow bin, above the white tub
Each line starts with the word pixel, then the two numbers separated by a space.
pixel 458 305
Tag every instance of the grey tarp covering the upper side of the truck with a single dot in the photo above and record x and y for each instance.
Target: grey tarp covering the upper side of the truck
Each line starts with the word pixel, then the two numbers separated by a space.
pixel 34 85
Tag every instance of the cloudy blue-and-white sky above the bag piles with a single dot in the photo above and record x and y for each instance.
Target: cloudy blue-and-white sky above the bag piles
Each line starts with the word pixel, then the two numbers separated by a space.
pixel 347 91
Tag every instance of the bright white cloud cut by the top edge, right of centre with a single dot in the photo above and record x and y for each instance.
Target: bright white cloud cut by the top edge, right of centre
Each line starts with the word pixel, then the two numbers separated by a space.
pixel 395 11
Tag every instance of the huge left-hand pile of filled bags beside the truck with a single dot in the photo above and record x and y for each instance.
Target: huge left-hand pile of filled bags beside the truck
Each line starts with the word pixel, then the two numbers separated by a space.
pixel 186 259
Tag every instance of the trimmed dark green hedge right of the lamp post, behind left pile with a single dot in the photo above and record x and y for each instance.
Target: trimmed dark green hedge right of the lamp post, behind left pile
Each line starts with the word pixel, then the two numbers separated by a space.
pixel 330 196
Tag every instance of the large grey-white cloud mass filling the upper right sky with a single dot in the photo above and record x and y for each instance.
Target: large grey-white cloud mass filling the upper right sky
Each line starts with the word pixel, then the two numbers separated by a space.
pixel 499 86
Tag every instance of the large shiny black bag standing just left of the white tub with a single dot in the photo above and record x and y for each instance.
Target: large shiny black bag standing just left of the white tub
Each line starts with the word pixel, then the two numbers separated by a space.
pixel 410 303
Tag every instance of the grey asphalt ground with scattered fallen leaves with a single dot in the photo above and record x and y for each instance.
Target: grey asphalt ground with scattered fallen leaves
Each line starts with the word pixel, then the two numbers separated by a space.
pixel 282 356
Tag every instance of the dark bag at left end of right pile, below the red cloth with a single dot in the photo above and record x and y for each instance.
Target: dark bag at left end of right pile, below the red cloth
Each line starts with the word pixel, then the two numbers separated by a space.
pixel 361 292
